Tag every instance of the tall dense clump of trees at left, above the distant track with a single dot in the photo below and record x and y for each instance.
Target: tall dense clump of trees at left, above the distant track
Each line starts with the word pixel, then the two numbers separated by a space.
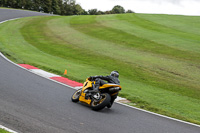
pixel 62 7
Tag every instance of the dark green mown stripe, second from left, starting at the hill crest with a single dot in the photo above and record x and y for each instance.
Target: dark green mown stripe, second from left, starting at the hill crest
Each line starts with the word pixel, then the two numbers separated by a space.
pixel 120 37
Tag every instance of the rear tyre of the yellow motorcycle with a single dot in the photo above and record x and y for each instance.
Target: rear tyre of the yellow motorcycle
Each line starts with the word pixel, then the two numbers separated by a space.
pixel 98 105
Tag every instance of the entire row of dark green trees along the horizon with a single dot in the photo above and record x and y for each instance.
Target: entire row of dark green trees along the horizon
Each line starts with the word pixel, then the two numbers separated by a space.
pixel 60 7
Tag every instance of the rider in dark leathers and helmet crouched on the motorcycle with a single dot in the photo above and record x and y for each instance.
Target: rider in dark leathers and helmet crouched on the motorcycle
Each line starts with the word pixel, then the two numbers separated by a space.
pixel 112 78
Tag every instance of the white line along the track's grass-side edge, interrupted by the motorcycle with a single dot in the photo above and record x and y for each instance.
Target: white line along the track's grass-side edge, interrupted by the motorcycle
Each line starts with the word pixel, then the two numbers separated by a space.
pixel 116 102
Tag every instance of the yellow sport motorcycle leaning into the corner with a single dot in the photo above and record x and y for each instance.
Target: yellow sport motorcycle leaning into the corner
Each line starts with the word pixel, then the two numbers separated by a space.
pixel 97 100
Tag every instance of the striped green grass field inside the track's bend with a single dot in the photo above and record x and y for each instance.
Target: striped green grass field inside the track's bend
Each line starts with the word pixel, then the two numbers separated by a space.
pixel 158 56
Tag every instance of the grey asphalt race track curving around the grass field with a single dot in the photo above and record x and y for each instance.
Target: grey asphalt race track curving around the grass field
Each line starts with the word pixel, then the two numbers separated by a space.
pixel 32 104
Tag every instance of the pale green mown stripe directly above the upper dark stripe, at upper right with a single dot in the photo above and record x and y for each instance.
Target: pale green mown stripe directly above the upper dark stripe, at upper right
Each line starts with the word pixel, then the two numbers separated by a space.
pixel 169 40
